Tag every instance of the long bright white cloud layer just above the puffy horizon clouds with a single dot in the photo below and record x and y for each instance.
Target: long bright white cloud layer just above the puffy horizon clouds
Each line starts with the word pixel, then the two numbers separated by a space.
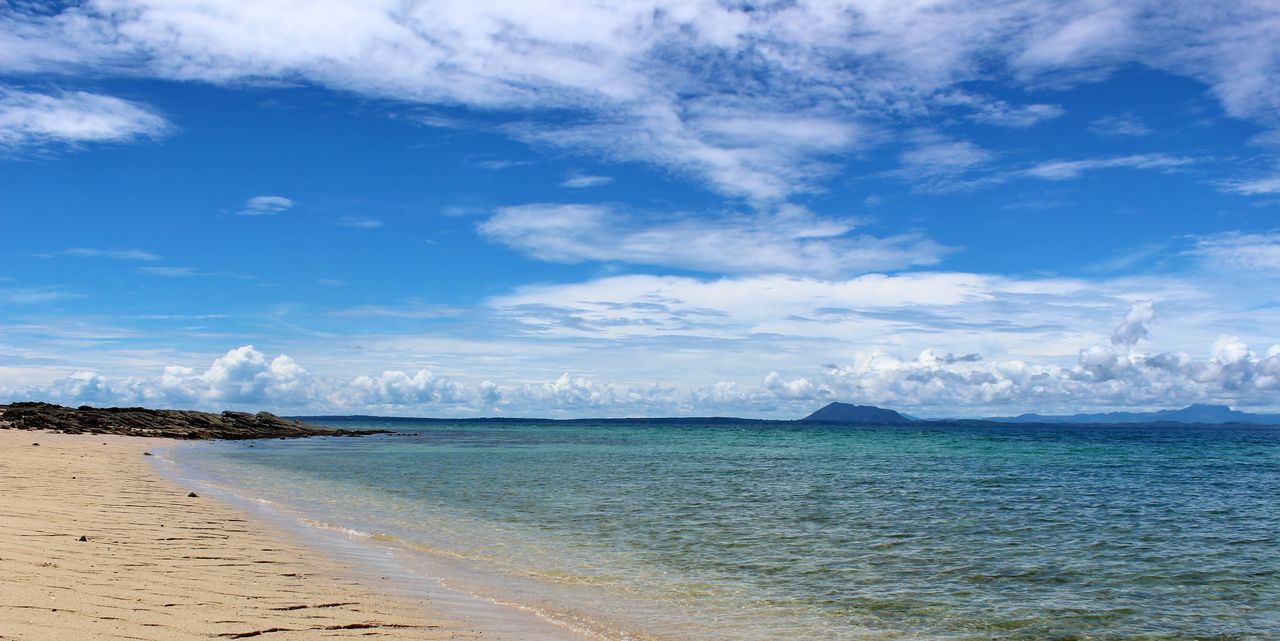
pixel 1036 318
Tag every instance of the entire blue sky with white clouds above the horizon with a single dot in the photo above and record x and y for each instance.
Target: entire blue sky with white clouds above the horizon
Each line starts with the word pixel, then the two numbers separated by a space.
pixel 574 209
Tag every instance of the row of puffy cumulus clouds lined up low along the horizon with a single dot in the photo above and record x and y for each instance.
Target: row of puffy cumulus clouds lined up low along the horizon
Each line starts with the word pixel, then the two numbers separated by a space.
pixel 935 383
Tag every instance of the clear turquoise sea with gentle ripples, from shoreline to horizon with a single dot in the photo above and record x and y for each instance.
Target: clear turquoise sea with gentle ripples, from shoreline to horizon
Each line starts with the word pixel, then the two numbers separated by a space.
pixel 775 532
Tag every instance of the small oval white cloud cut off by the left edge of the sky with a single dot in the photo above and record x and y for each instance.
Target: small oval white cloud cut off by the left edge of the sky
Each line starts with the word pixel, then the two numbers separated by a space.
pixel 30 120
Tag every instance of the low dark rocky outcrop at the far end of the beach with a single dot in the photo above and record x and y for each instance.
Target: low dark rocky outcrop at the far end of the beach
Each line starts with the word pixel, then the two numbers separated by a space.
pixel 170 424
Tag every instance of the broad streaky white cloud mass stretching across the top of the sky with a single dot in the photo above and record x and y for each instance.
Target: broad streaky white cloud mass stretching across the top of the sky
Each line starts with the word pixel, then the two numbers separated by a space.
pixel 757 102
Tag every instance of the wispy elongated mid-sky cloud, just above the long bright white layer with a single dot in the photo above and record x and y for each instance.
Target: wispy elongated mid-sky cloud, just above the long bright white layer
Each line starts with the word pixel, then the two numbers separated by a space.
pixel 790 241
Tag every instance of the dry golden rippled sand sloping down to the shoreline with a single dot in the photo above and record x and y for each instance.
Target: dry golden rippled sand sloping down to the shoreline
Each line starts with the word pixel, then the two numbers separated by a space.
pixel 159 565
